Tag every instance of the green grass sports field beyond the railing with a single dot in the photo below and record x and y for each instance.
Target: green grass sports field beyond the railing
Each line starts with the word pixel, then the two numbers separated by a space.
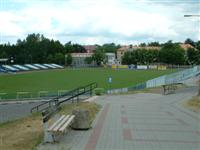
pixel 54 80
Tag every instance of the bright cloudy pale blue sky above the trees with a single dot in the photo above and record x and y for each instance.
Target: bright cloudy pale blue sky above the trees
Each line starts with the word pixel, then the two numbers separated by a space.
pixel 90 22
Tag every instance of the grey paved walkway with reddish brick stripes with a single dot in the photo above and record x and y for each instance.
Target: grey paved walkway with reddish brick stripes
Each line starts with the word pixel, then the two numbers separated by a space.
pixel 138 122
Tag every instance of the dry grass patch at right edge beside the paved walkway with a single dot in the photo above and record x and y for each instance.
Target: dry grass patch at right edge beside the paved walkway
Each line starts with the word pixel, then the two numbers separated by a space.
pixel 194 104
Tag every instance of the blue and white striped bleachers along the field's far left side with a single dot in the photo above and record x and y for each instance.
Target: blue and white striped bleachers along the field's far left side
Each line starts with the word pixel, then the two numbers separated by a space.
pixel 28 67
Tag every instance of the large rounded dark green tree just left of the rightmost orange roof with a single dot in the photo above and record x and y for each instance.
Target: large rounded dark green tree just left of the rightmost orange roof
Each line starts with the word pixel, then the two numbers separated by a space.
pixel 172 54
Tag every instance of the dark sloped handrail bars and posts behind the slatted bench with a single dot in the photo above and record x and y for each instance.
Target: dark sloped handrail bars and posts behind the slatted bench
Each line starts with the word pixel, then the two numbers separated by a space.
pixel 73 93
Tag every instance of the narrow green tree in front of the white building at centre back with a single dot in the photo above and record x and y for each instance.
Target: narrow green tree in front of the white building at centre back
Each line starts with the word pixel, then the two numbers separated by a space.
pixel 98 56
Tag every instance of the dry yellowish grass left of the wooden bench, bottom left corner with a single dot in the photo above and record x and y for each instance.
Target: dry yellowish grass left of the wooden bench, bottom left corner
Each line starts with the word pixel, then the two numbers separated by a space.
pixel 22 134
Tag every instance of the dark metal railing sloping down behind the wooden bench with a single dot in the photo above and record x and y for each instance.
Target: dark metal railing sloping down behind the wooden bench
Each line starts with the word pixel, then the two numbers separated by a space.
pixel 70 95
